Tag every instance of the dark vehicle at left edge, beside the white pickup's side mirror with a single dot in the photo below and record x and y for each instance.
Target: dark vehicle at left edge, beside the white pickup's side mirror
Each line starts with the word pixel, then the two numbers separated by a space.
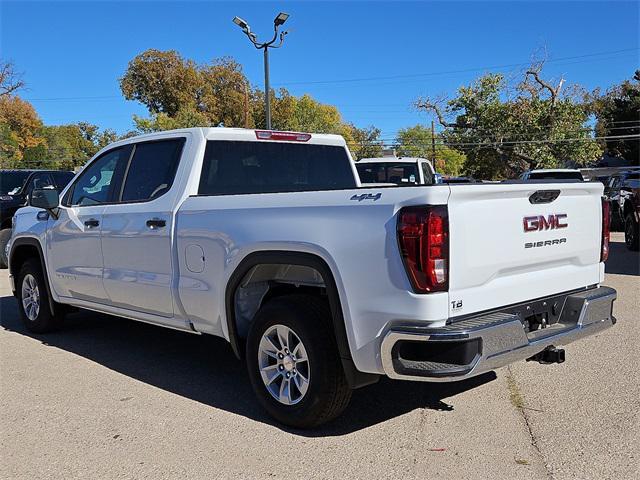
pixel 15 187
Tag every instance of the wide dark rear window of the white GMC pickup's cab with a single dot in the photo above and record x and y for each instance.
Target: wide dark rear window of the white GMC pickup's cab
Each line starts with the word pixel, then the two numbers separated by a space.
pixel 232 167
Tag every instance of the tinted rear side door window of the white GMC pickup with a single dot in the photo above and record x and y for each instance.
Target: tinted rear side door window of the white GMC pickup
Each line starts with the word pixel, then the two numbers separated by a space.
pixel 152 170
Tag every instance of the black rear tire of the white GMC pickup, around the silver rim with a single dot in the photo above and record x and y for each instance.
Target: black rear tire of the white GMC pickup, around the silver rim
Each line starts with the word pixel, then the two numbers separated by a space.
pixel 328 393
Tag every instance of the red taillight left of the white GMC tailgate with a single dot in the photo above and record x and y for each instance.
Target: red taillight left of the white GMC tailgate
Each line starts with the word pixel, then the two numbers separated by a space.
pixel 423 237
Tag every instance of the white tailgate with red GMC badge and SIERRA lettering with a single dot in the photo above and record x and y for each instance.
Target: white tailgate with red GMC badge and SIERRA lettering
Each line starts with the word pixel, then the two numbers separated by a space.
pixel 504 249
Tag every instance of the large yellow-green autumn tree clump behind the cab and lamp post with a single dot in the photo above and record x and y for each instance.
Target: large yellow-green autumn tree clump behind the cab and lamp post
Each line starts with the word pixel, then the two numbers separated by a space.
pixel 180 93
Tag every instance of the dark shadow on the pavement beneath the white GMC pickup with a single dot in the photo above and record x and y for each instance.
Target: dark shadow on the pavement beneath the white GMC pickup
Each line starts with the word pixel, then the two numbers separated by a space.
pixel 204 369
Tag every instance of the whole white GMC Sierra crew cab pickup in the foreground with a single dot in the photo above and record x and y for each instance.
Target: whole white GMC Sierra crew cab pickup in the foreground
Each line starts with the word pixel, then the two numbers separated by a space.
pixel 268 240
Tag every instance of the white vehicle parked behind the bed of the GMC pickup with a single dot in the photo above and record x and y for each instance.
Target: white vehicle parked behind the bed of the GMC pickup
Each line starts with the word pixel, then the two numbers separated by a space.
pixel 396 170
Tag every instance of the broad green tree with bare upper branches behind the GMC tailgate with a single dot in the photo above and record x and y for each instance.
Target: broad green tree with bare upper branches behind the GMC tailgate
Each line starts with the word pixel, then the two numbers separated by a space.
pixel 503 132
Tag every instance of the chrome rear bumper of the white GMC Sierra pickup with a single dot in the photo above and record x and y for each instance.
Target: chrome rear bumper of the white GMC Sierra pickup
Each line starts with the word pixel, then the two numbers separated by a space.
pixel 480 344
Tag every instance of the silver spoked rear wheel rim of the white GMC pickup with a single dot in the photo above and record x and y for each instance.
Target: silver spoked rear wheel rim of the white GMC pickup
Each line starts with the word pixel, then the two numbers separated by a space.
pixel 284 364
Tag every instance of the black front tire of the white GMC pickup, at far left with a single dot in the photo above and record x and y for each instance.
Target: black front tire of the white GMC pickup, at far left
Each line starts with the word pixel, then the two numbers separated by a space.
pixel 43 321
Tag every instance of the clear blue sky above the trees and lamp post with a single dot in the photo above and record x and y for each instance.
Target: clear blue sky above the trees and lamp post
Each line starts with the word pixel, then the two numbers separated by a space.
pixel 371 59
